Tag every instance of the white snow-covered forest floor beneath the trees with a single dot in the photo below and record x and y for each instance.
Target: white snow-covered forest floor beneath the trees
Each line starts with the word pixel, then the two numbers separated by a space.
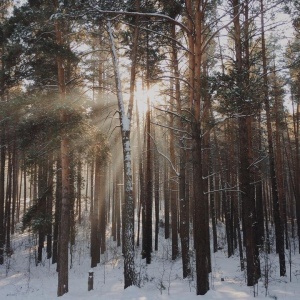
pixel 21 279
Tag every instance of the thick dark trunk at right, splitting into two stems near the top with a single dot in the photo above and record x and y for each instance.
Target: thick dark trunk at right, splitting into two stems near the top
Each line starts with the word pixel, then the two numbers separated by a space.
pixel 245 147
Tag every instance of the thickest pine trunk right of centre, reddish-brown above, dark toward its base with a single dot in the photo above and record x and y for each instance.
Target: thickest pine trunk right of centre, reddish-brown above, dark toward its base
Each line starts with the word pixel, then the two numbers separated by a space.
pixel 196 14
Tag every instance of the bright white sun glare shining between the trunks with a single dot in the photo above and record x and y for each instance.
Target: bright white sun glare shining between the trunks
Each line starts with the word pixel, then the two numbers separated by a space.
pixel 141 96
